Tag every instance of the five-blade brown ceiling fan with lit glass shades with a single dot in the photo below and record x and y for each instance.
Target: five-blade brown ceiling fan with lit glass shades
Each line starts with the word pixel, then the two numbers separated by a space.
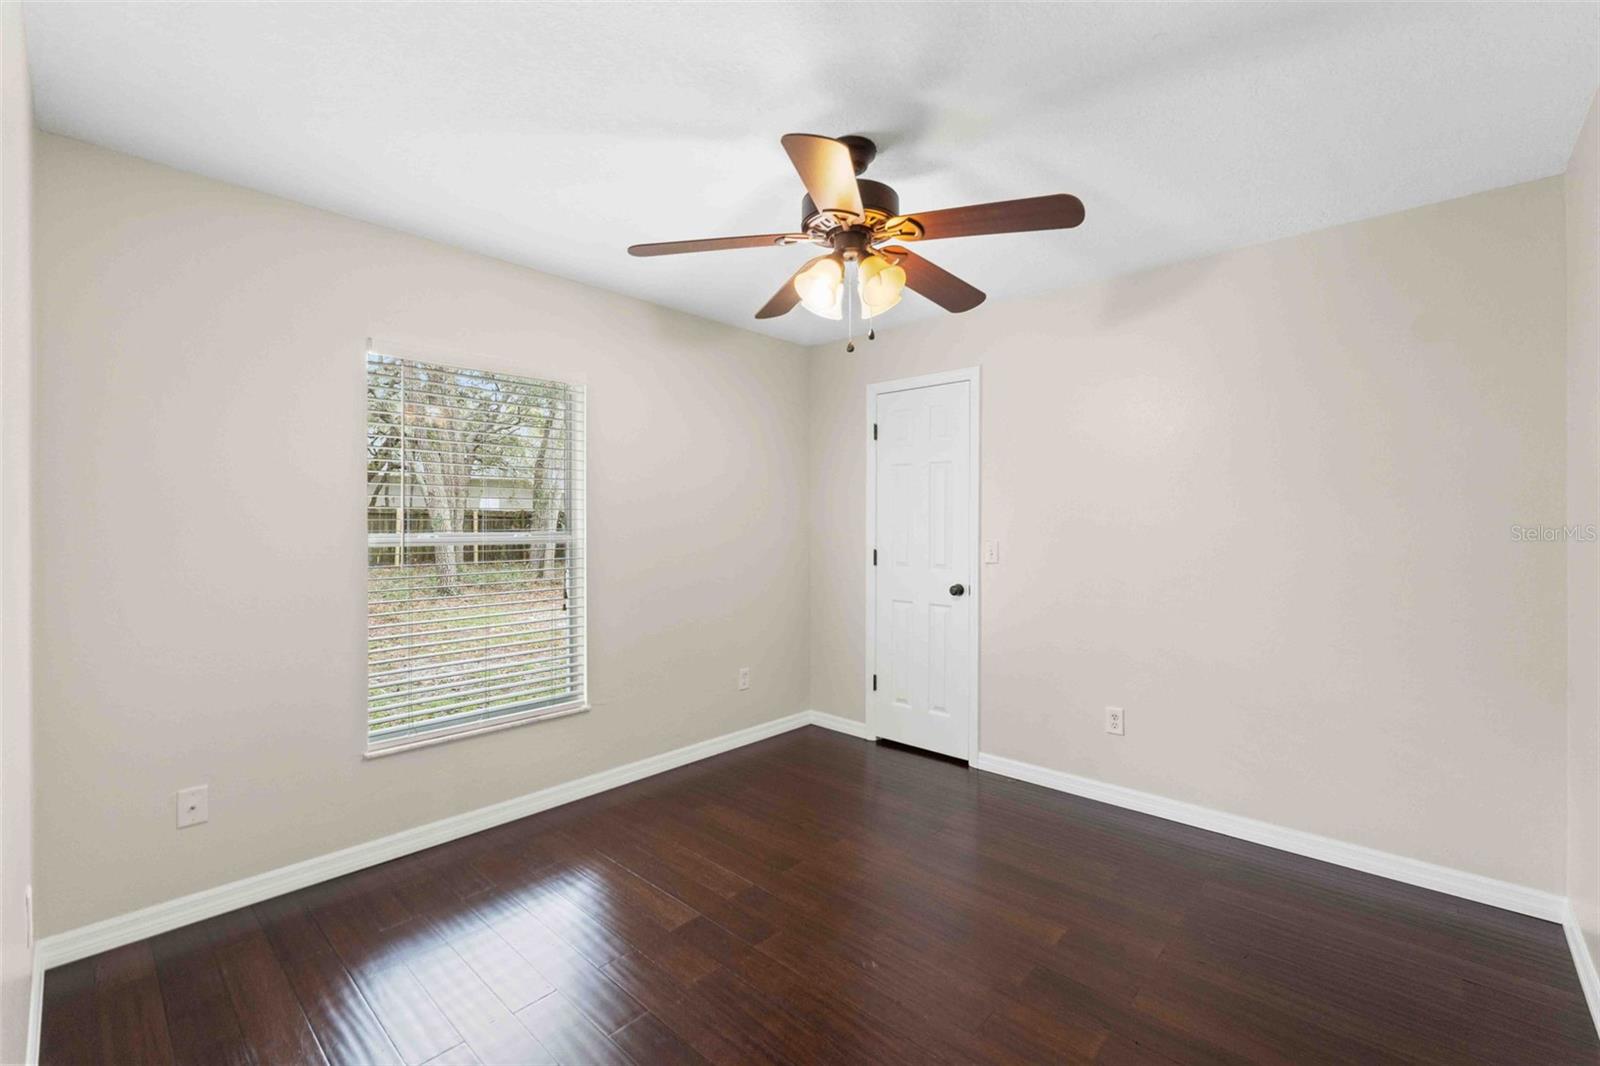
pixel 860 223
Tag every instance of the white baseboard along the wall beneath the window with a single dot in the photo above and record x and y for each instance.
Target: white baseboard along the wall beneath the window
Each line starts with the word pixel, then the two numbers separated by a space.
pixel 126 929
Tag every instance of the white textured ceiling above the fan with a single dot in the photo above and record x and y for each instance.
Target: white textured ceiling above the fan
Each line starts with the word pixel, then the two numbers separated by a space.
pixel 558 135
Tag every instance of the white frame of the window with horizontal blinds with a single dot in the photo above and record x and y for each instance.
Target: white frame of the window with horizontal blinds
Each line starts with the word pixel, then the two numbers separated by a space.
pixel 574 540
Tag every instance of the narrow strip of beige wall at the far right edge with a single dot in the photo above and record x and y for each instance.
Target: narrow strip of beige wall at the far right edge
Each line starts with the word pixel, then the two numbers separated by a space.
pixel 1583 508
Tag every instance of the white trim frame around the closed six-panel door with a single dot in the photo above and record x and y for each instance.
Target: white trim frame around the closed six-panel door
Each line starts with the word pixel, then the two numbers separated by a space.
pixel 975 499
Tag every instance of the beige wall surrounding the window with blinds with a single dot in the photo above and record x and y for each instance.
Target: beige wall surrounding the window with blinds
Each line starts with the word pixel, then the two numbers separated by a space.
pixel 201 529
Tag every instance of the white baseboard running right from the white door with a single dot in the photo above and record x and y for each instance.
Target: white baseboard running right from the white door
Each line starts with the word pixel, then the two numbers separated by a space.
pixel 1457 883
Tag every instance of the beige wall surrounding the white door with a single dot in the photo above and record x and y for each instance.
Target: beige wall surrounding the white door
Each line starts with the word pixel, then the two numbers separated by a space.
pixel 1265 502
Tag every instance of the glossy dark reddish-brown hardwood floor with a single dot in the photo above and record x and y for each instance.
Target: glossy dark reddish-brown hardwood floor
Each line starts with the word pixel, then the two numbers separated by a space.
pixel 815 899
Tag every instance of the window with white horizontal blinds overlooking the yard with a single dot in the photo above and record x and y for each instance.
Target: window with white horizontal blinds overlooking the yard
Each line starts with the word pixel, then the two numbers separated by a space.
pixel 474 550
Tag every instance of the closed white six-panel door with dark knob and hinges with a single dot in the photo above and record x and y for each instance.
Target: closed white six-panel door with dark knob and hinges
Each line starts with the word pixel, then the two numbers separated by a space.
pixel 922 583
